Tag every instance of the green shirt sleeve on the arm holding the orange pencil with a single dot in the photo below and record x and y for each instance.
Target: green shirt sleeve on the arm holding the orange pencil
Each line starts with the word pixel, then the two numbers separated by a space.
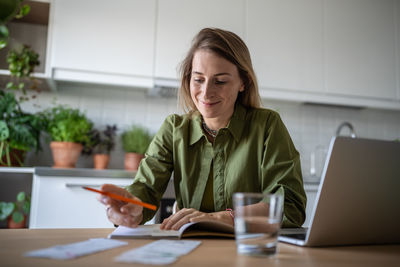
pixel 155 169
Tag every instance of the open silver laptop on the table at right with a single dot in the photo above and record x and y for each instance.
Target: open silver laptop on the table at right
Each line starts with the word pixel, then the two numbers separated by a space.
pixel 358 200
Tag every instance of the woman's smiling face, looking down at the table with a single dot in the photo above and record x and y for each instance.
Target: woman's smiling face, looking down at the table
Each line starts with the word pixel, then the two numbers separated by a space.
pixel 214 85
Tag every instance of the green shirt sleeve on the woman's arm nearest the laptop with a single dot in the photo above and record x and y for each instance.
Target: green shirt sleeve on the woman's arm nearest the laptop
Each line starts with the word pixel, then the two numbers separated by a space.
pixel 281 171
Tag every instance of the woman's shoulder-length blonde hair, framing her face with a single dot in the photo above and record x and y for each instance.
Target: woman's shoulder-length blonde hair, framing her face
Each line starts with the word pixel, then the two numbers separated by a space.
pixel 232 48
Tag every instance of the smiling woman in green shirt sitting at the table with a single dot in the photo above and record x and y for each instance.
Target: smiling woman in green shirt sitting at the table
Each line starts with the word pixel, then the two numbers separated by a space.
pixel 225 143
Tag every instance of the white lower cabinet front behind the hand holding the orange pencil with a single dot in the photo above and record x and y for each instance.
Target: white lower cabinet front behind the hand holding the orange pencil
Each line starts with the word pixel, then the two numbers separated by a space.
pixel 60 202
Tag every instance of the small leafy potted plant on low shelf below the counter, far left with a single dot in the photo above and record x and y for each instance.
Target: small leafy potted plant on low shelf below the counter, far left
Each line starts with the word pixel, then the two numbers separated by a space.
pixel 16 212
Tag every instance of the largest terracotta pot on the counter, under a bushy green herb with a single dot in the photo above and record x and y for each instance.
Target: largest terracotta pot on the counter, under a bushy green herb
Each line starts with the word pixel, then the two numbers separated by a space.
pixel 65 154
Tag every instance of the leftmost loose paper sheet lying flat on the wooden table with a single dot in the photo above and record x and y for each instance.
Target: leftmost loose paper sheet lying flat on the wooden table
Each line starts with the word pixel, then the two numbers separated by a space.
pixel 74 250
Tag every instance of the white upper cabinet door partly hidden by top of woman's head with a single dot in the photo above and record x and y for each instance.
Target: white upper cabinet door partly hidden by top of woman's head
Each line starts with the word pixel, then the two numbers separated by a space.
pixel 179 21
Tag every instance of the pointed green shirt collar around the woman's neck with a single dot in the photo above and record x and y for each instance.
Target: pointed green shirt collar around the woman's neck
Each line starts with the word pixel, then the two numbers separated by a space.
pixel 235 125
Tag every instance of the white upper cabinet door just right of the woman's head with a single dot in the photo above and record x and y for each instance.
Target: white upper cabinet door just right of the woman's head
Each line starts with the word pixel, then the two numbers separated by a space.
pixel 285 39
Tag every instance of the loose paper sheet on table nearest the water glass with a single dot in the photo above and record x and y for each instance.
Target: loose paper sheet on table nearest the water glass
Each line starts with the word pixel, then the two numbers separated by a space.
pixel 159 252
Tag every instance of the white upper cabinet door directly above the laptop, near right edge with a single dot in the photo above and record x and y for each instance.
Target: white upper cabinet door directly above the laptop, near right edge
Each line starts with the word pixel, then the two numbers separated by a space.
pixel 360 48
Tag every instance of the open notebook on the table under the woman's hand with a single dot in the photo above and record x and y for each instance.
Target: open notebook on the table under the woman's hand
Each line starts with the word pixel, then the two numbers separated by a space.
pixel 198 229
